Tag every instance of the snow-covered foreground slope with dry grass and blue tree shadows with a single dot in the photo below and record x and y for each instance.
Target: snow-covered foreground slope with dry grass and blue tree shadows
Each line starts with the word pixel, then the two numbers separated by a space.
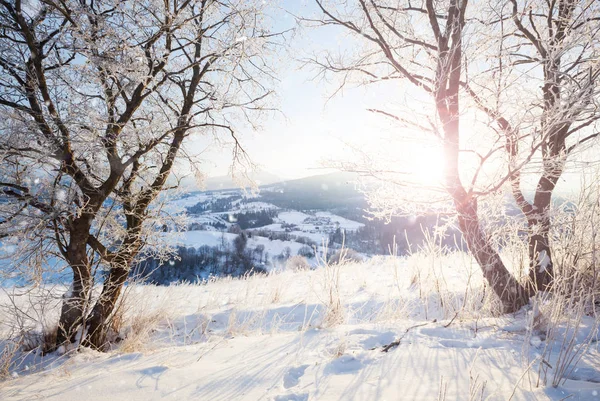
pixel 320 335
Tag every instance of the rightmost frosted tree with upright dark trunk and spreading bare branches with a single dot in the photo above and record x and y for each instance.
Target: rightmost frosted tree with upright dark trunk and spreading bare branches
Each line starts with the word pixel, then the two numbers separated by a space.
pixel 550 54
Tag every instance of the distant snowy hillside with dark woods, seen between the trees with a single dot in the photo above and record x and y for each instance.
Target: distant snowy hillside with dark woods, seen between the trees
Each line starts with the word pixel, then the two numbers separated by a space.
pixel 306 217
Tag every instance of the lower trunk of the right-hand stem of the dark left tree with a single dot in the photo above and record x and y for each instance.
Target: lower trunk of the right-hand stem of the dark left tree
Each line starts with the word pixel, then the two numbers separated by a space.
pixel 98 322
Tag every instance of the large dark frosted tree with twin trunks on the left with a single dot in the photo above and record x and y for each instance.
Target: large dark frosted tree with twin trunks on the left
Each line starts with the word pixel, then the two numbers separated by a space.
pixel 97 100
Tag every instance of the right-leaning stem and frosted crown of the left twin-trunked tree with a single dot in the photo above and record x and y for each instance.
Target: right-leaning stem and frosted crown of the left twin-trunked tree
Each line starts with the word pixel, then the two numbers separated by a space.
pixel 225 72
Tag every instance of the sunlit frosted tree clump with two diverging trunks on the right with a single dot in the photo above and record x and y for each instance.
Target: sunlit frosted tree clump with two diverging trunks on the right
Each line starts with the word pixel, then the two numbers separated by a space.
pixel 511 90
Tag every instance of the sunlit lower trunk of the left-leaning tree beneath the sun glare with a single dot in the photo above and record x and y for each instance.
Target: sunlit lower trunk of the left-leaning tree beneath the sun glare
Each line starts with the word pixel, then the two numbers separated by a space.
pixel 512 294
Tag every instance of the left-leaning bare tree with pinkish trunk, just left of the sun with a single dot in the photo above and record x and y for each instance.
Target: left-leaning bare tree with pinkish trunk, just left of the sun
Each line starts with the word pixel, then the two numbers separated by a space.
pixel 423 43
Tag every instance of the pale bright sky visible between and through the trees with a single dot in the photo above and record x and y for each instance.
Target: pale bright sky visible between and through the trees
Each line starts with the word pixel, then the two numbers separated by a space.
pixel 314 129
